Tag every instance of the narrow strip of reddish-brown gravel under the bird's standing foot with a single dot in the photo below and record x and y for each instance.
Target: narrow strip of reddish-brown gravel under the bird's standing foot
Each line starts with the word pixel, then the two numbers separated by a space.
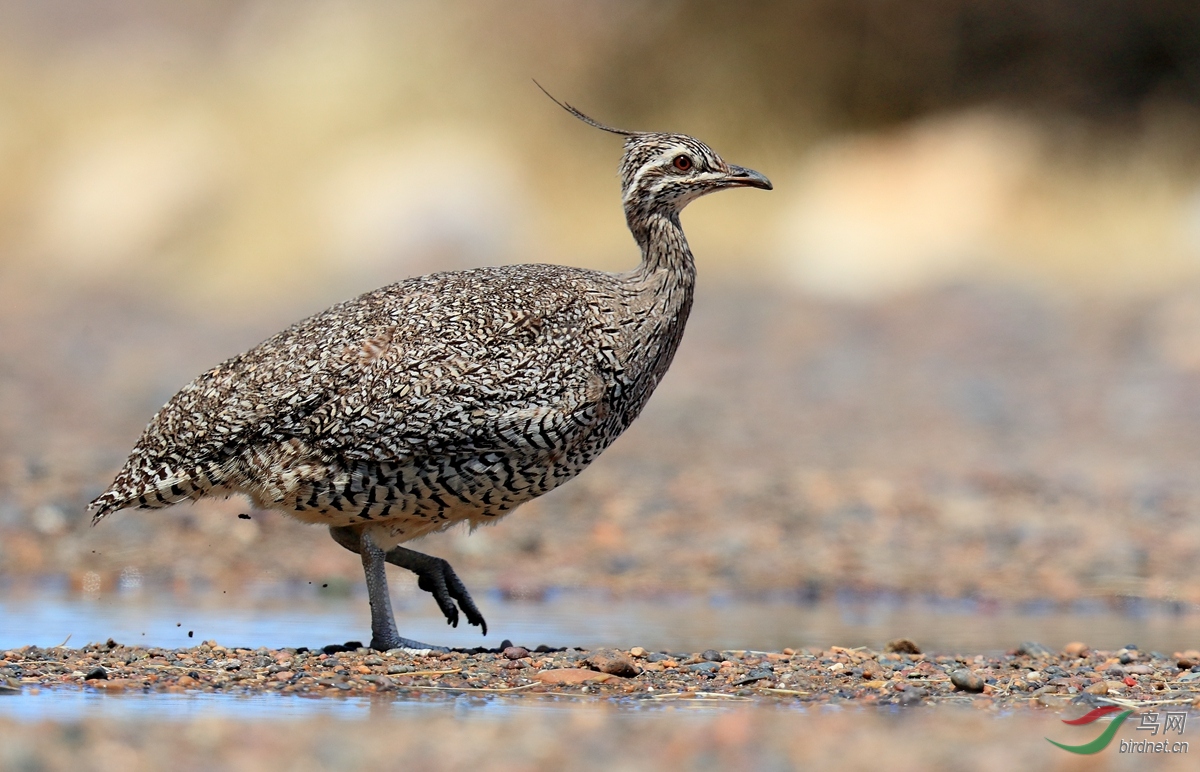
pixel 899 675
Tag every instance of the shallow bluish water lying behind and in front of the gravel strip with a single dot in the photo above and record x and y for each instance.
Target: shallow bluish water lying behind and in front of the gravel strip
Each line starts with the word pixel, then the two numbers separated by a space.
pixel 280 618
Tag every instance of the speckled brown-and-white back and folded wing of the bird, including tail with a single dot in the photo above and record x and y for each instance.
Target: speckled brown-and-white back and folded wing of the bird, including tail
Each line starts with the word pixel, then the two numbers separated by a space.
pixel 442 364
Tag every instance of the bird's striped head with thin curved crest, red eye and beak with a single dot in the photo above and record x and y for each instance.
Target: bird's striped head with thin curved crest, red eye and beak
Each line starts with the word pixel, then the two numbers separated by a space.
pixel 663 173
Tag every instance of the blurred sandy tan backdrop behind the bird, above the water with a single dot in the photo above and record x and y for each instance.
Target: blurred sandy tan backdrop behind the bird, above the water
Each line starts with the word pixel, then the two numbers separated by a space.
pixel 957 351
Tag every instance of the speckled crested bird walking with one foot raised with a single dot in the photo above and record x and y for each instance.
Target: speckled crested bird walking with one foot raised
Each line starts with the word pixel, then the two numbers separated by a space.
pixel 442 399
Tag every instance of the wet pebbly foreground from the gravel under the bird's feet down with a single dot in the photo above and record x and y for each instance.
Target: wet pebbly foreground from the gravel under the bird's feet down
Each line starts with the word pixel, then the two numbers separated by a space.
pixel 112 707
